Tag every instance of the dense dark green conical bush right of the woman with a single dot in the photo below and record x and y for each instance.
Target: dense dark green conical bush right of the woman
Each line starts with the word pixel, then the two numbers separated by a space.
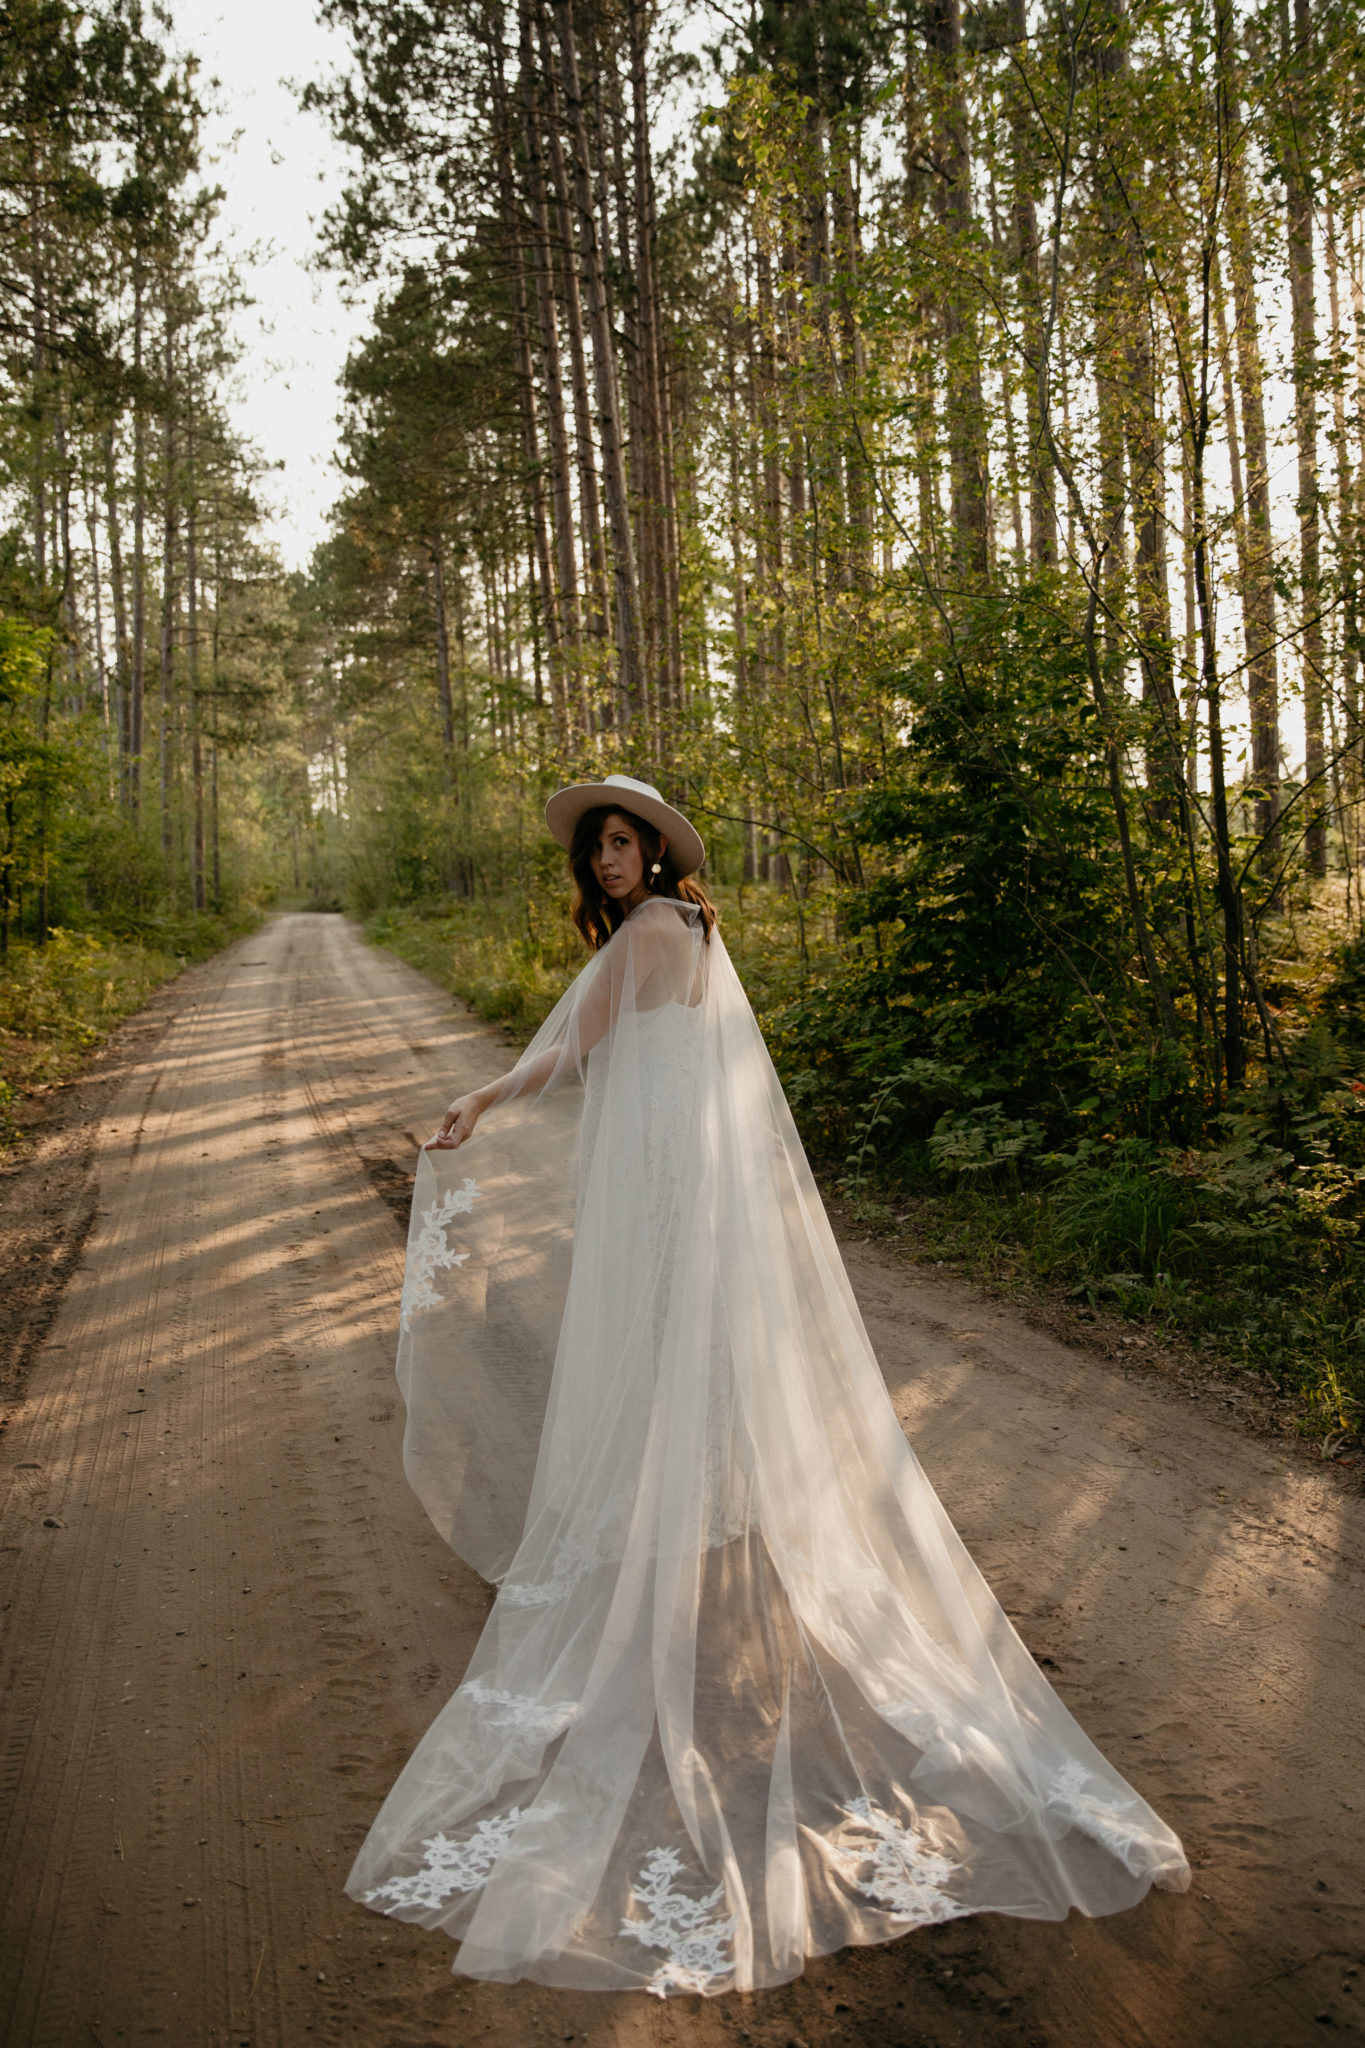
pixel 989 939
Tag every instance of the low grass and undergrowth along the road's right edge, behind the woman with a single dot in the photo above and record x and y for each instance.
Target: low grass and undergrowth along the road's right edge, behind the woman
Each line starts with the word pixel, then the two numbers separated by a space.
pixel 1241 1242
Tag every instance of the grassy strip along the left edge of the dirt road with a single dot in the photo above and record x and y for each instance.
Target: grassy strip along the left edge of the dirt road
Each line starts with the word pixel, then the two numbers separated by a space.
pixel 60 1000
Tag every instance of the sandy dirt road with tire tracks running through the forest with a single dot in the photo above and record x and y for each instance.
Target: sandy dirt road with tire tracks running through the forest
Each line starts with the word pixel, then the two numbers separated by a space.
pixel 226 1621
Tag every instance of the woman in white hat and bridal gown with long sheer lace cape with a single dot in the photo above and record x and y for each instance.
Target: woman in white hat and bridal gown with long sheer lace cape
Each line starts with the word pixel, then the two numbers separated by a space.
pixel 744 1697
